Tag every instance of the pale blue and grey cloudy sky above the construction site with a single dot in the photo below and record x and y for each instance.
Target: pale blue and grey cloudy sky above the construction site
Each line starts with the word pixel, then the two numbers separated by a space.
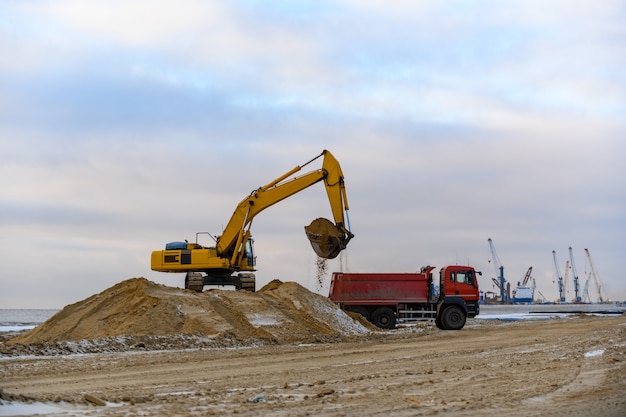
pixel 128 124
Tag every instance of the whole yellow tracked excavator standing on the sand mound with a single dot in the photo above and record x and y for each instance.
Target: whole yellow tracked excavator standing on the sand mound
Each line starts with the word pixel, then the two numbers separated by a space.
pixel 231 260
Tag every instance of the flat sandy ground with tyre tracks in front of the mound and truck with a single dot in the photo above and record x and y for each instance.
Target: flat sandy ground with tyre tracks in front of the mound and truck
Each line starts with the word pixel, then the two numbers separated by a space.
pixel 574 366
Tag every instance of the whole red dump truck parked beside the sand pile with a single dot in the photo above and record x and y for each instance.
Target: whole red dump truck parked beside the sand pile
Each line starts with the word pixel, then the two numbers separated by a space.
pixel 389 298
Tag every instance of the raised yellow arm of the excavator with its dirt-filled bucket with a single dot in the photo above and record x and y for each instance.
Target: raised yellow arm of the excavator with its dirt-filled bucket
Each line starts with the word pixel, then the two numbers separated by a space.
pixel 231 242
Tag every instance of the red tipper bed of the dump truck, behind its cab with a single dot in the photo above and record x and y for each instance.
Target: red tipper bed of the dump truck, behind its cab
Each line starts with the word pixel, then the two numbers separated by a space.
pixel 378 288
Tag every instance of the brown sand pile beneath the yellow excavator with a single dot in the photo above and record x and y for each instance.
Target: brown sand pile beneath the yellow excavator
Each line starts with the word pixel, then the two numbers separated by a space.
pixel 278 313
